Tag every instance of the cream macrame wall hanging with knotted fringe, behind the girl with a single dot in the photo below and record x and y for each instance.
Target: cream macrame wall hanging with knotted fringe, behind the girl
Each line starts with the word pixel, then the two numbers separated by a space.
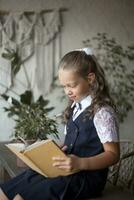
pixel 27 34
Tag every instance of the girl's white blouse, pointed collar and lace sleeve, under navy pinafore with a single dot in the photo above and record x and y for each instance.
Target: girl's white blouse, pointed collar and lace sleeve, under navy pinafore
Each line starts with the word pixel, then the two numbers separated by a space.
pixel 105 121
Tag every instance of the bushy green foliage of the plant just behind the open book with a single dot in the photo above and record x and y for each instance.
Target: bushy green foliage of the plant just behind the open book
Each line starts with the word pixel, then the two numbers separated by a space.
pixel 32 121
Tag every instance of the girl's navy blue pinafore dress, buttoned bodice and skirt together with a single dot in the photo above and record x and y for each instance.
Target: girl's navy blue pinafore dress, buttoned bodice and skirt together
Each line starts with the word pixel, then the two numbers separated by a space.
pixel 83 141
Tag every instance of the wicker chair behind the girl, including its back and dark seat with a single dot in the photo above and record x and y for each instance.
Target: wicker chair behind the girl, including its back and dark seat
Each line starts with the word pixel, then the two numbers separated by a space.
pixel 121 175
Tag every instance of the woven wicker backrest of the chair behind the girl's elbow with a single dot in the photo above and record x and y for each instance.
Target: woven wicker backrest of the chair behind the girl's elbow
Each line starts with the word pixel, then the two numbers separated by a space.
pixel 122 173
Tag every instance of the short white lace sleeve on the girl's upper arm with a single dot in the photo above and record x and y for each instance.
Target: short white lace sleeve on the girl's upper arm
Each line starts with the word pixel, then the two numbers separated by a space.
pixel 106 125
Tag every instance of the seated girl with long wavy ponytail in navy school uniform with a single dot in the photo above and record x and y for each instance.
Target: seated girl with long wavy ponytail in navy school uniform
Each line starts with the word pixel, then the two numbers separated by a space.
pixel 91 140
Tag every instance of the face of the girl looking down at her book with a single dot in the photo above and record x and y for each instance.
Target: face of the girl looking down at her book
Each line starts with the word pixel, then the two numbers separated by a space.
pixel 75 86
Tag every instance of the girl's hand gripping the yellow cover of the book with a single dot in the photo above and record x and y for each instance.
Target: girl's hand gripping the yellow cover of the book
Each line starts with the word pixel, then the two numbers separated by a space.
pixel 70 163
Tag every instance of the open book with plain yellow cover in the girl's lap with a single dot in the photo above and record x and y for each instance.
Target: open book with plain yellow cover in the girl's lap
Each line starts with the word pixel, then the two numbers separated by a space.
pixel 38 156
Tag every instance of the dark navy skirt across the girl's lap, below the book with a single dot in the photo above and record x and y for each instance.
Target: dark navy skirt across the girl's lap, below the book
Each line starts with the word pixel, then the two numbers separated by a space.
pixel 33 186
